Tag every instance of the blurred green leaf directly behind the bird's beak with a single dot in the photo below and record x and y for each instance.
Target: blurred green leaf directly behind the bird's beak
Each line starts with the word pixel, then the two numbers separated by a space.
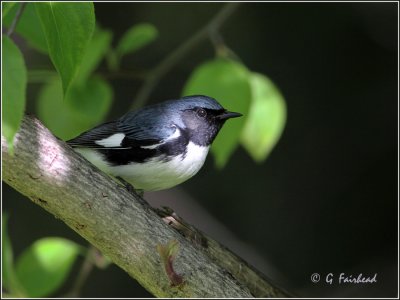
pixel 228 82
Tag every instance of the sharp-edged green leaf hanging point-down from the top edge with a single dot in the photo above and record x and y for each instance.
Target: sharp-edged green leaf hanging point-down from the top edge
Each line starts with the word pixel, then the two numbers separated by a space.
pixel 68 28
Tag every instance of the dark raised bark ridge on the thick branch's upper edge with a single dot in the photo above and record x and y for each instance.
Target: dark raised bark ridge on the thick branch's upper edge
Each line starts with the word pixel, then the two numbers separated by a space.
pixel 184 228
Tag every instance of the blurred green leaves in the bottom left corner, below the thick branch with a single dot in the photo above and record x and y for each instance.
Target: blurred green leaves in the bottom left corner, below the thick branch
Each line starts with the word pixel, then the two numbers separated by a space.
pixel 41 269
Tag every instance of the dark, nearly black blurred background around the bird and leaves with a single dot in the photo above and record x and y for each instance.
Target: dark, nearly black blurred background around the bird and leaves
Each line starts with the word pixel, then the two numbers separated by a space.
pixel 325 200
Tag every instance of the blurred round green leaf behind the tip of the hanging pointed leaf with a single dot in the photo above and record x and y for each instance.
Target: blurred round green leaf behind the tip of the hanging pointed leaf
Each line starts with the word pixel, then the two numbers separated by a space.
pixel 83 107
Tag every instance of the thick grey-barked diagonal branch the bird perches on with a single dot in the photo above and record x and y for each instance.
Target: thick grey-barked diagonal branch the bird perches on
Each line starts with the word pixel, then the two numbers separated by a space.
pixel 120 224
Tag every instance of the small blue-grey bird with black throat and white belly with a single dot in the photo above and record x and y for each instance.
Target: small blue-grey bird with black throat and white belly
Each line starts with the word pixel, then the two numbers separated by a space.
pixel 158 146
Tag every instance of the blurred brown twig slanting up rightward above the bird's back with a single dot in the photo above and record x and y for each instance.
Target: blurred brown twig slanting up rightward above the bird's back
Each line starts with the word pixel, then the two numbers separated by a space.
pixel 155 75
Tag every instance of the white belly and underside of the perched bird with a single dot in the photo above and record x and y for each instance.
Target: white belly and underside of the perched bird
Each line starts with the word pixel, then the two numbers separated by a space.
pixel 154 175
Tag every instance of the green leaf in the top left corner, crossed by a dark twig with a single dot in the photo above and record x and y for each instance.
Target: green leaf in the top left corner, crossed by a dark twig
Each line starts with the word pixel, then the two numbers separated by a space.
pixel 29 27
